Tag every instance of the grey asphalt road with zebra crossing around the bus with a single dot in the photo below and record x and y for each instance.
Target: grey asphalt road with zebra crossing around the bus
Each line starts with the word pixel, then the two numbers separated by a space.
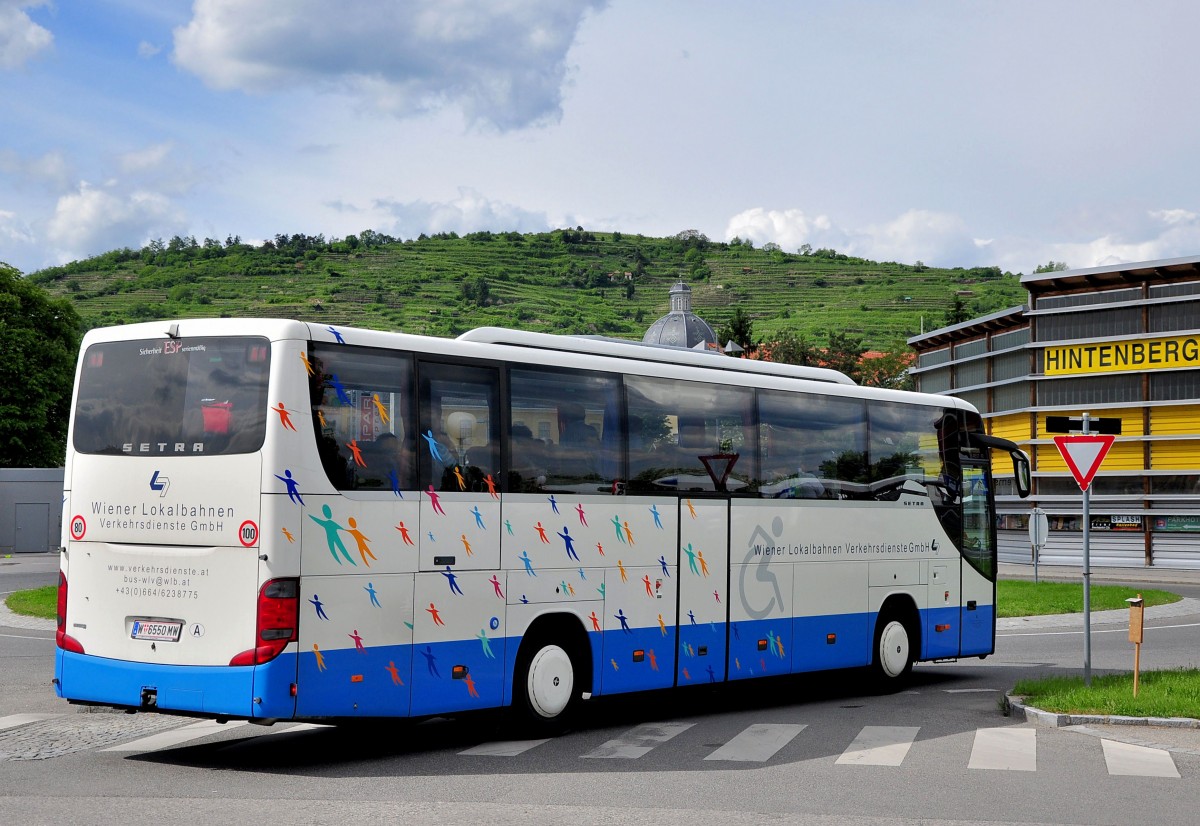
pixel 817 749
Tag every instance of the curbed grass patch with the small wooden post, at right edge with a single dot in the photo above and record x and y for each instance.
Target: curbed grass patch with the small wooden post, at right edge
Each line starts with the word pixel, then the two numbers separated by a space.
pixel 1175 693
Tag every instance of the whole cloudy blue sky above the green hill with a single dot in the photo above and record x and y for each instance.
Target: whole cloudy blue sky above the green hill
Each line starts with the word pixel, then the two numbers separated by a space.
pixel 1004 134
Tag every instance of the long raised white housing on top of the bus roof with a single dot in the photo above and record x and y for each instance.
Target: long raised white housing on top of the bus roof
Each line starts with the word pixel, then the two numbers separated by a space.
pixel 639 351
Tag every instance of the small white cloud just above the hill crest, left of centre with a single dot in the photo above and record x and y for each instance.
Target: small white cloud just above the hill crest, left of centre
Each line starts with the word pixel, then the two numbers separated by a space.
pixel 471 212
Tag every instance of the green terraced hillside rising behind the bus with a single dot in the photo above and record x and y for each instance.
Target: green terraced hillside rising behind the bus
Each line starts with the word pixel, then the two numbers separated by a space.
pixel 566 282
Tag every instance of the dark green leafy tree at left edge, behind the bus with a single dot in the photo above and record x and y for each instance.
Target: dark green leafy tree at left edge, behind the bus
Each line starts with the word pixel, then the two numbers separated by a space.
pixel 41 340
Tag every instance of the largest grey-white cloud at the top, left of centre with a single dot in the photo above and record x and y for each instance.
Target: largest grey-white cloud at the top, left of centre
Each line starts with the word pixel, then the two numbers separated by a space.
pixel 502 63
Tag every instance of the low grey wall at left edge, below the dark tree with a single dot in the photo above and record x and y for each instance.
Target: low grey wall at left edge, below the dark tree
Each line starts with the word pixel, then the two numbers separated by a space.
pixel 31 510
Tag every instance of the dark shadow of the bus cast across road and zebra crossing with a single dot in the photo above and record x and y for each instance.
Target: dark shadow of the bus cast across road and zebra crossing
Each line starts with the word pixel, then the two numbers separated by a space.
pixel 433 747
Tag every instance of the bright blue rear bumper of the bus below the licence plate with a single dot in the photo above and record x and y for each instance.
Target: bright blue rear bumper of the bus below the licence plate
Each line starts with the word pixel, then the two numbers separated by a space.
pixel 208 691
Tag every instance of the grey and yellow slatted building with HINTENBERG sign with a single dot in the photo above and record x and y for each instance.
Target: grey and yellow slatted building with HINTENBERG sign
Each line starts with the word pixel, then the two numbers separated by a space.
pixel 1118 343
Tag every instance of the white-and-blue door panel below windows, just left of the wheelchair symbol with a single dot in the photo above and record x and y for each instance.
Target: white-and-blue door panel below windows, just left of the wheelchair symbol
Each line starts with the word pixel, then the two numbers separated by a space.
pixel 704 591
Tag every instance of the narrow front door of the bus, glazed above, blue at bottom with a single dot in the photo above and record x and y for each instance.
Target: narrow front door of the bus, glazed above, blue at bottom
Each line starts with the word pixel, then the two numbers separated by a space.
pixel 979 564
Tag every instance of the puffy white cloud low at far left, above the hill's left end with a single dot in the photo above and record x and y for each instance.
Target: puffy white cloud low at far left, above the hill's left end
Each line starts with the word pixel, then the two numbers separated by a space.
pixel 94 220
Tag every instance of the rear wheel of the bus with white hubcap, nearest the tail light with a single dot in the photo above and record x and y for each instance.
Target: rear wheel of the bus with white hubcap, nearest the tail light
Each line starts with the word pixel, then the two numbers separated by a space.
pixel 547 686
